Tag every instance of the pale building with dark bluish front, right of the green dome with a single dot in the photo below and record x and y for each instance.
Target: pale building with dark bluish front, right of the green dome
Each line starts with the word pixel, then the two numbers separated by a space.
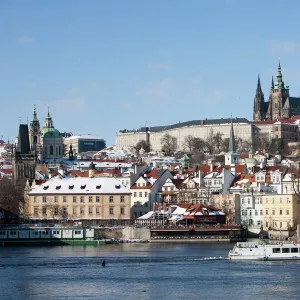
pixel 84 143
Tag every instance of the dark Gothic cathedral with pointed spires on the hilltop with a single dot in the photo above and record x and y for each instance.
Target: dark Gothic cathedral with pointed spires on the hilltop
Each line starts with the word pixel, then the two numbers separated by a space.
pixel 280 104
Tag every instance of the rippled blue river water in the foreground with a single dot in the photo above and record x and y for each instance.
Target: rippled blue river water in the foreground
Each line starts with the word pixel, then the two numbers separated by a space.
pixel 142 271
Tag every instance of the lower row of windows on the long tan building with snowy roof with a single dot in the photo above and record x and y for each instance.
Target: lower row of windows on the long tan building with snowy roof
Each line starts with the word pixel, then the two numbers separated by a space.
pixel 56 211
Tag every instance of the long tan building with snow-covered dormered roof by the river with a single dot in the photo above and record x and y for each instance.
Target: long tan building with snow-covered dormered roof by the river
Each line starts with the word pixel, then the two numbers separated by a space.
pixel 80 199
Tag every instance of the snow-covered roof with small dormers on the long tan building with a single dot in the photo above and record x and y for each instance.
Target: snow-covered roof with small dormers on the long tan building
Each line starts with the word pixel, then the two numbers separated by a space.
pixel 81 185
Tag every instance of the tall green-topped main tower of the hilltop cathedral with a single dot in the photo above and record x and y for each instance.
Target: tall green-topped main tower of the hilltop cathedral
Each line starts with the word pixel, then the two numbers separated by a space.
pixel 279 105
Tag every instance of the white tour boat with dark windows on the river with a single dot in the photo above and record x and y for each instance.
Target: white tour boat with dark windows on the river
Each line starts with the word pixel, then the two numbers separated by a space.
pixel 262 251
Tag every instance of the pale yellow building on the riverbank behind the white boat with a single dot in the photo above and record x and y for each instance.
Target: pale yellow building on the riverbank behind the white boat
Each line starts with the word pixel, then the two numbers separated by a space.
pixel 280 211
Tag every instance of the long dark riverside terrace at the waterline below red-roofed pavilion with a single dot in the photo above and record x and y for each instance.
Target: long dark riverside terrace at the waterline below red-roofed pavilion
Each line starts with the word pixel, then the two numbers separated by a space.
pixel 218 233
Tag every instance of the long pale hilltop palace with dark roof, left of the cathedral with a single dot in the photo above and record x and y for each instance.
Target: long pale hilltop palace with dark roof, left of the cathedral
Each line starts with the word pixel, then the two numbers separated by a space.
pixel 127 139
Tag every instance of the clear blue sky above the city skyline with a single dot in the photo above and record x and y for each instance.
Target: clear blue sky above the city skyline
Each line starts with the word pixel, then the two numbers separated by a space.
pixel 103 66
